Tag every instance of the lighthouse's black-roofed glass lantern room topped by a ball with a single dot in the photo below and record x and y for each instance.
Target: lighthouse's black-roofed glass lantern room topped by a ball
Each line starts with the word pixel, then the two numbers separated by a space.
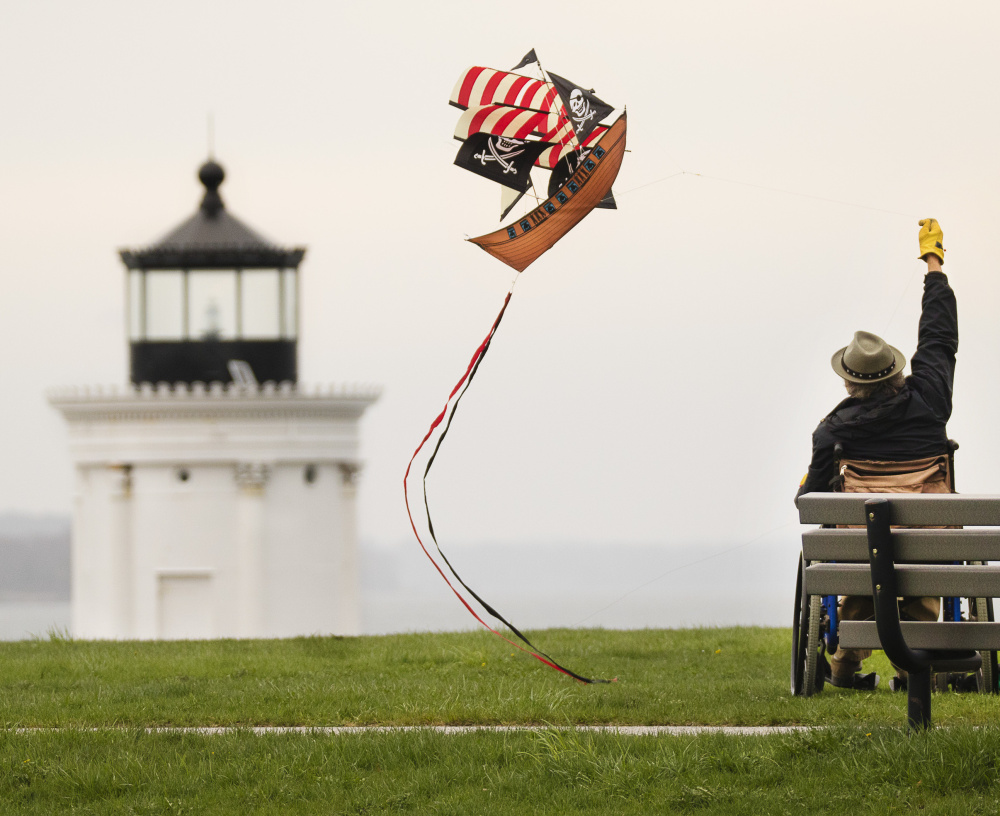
pixel 210 291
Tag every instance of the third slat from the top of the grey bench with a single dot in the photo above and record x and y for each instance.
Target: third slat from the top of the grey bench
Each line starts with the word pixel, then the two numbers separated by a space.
pixel 911 579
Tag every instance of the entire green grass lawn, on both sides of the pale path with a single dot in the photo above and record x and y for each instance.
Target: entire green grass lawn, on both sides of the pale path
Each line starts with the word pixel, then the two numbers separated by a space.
pixel 862 760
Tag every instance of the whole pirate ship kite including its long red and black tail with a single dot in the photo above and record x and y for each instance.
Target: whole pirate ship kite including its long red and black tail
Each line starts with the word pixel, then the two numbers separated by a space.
pixel 512 123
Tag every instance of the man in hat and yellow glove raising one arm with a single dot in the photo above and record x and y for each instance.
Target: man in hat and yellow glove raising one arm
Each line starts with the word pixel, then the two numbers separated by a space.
pixel 887 417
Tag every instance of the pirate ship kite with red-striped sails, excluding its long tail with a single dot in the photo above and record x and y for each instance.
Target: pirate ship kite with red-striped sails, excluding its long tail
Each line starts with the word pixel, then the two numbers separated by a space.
pixel 512 123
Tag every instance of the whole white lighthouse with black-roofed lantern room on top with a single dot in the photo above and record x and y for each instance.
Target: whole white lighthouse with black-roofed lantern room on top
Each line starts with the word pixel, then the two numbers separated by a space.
pixel 215 496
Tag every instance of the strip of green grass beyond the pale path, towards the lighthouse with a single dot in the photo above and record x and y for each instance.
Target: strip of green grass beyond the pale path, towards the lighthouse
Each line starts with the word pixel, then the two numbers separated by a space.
pixel 735 676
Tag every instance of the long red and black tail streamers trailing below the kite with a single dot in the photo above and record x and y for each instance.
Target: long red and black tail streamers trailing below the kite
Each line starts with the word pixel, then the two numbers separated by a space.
pixel 449 411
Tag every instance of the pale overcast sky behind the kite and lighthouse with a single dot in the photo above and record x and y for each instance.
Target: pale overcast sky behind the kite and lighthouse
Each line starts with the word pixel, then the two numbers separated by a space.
pixel 658 373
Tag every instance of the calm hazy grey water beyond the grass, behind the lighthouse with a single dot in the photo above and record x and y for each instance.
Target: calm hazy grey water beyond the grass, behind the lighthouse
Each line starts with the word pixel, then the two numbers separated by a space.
pixel 627 587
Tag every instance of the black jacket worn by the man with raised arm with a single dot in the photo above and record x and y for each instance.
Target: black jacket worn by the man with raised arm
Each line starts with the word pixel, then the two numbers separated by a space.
pixel 909 425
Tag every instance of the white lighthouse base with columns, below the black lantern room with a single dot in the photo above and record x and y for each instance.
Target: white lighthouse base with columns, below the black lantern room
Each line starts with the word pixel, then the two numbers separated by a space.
pixel 214 512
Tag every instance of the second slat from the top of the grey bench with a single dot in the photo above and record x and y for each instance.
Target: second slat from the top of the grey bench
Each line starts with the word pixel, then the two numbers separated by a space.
pixel 910 545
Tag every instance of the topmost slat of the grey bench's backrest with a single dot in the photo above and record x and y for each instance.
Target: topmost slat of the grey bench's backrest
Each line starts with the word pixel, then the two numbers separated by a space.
pixel 907 508
